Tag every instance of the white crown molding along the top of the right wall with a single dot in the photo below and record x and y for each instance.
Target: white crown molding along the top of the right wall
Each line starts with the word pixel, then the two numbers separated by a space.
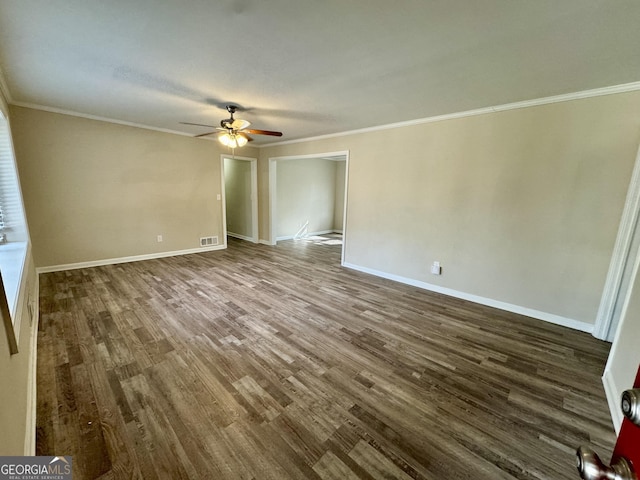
pixel 596 92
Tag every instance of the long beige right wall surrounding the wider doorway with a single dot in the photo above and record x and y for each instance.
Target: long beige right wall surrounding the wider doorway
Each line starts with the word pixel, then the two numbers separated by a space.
pixel 520 207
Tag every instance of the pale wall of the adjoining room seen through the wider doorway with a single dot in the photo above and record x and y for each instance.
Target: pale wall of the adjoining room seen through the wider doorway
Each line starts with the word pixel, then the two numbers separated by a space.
pixel 306 192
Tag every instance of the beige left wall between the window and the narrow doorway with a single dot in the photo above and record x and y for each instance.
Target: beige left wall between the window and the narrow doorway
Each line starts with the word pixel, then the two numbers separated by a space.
pixel 95 190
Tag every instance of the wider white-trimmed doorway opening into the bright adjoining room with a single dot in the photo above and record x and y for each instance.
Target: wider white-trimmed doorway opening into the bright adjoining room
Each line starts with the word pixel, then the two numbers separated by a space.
pixel 308 196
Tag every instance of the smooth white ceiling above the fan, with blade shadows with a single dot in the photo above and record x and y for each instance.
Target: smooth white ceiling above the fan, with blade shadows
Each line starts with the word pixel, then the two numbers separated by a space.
pixel 311 67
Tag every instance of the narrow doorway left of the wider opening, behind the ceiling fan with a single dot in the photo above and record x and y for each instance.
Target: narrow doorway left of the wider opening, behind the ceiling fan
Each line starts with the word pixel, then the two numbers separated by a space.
pixel 240 176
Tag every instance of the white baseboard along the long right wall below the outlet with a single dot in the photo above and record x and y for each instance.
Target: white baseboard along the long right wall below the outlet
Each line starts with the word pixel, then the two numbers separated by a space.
pixel 547 317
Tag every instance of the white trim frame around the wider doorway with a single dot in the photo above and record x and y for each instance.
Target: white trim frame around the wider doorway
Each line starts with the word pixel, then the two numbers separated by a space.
pixel 273 162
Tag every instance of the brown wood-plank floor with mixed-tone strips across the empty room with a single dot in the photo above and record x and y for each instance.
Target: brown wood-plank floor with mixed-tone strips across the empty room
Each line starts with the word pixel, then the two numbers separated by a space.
pixel 262 362
